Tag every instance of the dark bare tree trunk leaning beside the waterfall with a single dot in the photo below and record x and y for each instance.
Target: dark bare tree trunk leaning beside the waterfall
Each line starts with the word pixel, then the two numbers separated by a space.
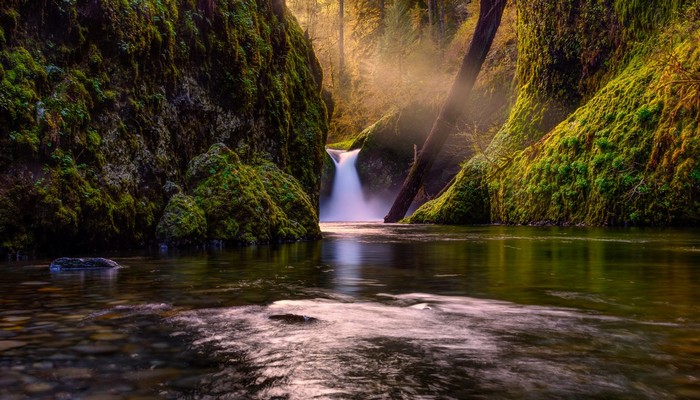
pixel 489 19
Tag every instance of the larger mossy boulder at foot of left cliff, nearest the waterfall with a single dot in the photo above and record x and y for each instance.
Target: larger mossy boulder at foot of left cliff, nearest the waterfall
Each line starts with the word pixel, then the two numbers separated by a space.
pixel 246 204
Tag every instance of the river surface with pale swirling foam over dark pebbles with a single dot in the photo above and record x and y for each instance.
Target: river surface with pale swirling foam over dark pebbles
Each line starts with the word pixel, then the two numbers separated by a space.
pixel 373 311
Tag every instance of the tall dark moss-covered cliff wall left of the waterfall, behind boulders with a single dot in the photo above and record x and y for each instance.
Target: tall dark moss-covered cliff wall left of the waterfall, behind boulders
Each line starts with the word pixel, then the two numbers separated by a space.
pixel 104 102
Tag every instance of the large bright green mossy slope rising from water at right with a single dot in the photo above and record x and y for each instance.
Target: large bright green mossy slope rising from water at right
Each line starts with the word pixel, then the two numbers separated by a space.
pixel 636 161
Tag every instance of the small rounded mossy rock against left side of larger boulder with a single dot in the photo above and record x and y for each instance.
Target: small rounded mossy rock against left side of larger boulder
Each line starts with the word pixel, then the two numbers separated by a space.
pixel 183 223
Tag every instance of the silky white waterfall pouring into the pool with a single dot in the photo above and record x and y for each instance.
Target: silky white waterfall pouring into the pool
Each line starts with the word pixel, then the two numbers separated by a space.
pixel 347 202
